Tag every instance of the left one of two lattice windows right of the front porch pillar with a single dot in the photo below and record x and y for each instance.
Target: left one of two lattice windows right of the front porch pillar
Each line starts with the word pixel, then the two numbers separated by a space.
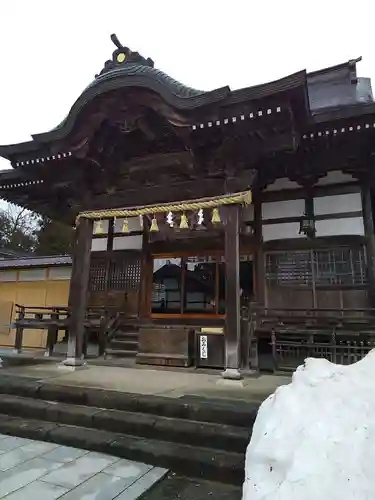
pixel 289 268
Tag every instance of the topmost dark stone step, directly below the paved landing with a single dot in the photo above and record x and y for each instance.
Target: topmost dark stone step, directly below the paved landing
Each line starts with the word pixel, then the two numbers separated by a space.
pixel 226 412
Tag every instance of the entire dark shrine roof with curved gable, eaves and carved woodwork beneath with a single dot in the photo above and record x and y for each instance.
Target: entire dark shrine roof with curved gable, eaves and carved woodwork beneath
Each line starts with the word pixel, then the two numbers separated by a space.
pixel 137 136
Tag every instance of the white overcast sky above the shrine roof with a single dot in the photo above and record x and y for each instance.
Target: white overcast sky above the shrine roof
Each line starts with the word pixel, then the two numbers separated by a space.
pixel 50 50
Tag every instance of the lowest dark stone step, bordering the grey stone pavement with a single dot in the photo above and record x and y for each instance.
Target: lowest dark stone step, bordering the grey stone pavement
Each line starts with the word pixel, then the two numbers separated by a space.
pixel 223 466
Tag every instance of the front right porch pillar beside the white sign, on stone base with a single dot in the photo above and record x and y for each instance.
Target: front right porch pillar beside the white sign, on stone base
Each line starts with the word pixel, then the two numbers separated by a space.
pixel 232 293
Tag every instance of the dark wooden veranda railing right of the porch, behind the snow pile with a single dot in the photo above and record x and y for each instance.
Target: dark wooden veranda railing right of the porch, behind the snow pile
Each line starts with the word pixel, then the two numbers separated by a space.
pixel 342 336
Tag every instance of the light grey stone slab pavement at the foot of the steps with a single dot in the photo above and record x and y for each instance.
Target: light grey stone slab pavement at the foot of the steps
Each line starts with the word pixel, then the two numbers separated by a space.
pixel 45 471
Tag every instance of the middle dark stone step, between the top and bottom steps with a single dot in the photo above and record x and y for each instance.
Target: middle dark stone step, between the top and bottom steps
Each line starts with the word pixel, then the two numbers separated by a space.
pixel 194 433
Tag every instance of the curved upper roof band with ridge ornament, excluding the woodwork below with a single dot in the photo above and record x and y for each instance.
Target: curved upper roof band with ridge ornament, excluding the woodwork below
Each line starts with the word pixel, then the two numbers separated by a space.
pixel 128 69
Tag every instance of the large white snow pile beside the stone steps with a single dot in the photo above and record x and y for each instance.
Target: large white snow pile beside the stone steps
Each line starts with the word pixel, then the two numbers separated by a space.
pixel 314 439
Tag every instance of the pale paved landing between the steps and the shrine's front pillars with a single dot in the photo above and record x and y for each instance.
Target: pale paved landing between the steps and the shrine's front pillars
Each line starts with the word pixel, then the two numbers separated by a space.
pixel 140 380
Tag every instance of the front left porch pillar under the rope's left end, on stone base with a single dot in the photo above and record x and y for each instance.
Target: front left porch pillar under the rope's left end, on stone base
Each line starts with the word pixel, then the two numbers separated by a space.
pixel 78 292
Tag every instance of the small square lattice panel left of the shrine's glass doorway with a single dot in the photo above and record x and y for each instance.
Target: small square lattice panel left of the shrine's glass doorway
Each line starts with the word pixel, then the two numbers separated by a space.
pixel 125 274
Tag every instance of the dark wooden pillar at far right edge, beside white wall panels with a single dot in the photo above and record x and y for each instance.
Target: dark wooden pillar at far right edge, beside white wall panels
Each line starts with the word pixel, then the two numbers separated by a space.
pixel 368 223
